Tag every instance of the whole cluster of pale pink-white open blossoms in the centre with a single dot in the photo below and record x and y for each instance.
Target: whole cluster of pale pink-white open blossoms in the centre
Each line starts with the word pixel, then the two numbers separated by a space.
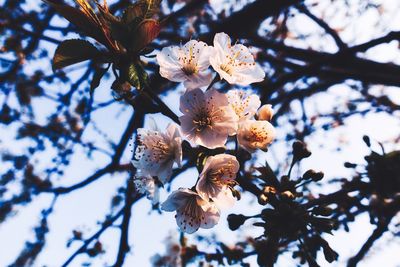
pixel 209 119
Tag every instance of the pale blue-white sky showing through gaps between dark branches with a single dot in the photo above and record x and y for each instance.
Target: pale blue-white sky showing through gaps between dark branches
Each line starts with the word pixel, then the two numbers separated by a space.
pixel 84 208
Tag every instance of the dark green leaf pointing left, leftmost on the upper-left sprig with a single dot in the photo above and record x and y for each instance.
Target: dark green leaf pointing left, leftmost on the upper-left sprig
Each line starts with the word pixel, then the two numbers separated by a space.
pixel 74 51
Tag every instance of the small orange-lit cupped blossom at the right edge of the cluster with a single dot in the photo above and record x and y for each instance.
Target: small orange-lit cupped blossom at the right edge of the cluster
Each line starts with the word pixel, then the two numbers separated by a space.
pixel 254 135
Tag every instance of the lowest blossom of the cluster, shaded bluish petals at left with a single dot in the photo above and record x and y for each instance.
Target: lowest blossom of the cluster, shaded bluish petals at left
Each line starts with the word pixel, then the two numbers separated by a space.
pixel 192 211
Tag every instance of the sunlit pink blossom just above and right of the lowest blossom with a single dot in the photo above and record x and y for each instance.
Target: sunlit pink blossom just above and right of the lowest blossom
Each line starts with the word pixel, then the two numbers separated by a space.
pixel 217 179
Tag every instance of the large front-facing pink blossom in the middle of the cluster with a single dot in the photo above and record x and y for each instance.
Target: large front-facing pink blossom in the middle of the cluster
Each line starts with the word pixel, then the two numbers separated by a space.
pixel 207 119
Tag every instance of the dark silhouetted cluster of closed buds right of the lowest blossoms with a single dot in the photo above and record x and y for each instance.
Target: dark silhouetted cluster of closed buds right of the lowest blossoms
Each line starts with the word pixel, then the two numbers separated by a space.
pixel 289 217
